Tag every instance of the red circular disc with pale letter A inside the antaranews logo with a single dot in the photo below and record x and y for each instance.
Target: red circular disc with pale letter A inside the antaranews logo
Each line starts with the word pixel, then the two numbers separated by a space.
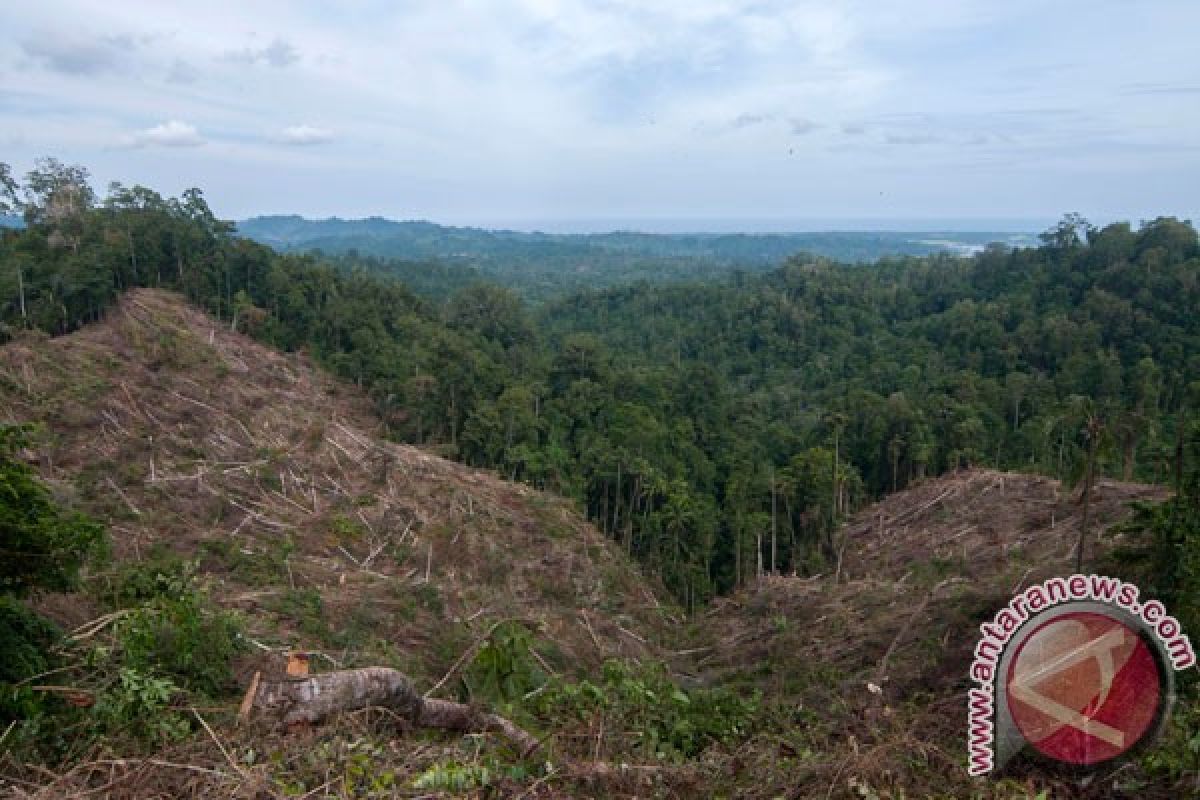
pixel 1084 688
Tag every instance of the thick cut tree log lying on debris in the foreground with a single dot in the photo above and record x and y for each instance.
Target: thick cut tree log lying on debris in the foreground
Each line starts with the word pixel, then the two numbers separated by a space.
pixel 311 700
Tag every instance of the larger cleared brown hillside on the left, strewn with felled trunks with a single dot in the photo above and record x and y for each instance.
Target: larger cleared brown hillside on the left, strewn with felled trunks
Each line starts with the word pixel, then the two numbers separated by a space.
pixel 273 479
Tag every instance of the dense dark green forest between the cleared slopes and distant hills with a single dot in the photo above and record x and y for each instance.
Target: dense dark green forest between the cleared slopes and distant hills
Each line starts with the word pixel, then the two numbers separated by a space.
pixel 715 430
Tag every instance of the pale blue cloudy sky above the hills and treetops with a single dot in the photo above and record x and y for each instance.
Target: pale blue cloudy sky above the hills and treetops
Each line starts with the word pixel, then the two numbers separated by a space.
pixel 532 113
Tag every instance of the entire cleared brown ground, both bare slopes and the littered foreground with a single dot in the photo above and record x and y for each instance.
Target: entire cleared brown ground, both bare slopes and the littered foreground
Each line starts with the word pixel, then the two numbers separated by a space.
pixel 268 482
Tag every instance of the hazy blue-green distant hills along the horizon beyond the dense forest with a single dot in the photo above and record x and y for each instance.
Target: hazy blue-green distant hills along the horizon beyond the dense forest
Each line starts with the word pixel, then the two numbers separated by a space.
pixel 539 264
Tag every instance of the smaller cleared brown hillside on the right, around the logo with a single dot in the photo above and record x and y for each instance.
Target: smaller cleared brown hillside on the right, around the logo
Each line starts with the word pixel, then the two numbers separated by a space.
pixel 873 655
